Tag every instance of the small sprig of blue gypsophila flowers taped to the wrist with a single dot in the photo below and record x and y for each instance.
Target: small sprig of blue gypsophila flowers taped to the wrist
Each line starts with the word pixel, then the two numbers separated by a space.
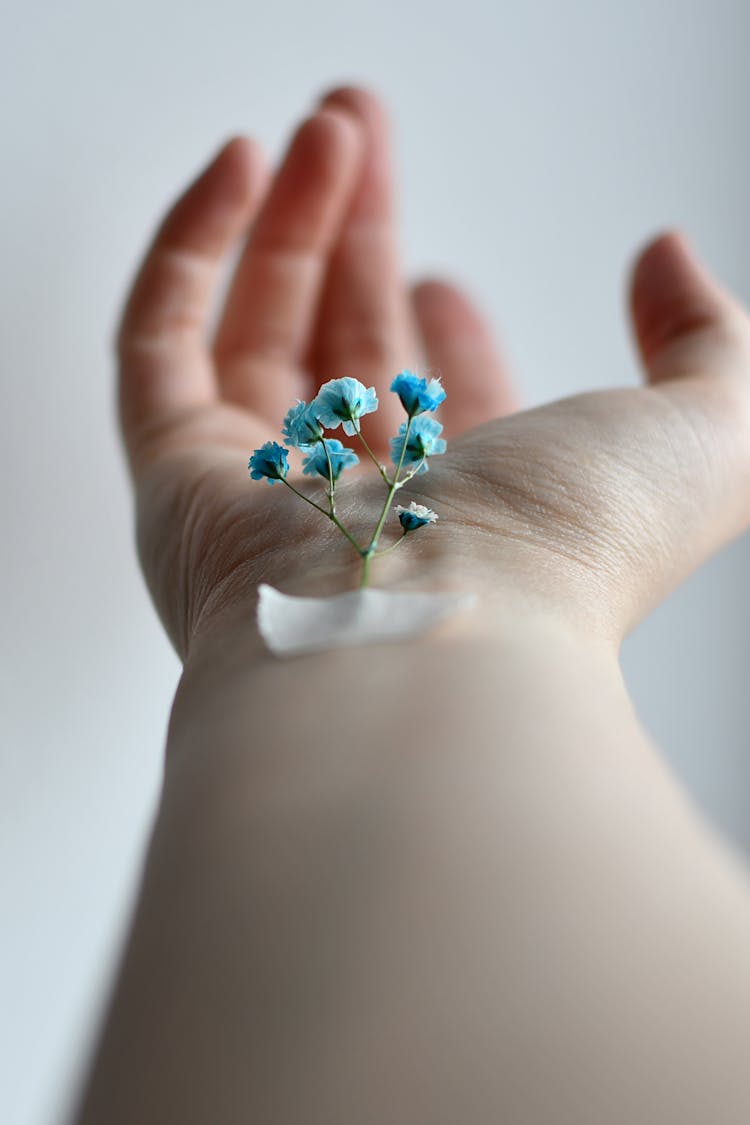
pixel 346 402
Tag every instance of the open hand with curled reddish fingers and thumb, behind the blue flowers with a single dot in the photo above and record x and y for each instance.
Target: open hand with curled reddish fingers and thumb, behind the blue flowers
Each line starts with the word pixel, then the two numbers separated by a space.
pixel 595 507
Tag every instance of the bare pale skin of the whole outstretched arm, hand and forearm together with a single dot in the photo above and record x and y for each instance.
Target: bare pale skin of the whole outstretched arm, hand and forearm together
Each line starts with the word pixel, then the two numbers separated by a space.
pixel 450 880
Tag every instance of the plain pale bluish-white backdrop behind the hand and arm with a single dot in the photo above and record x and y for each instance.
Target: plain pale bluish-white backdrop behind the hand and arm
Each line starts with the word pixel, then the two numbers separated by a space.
pixel 538 147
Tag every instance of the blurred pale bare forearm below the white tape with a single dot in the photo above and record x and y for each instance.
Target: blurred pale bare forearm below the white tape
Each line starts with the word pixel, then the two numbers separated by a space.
pixel 444 881
